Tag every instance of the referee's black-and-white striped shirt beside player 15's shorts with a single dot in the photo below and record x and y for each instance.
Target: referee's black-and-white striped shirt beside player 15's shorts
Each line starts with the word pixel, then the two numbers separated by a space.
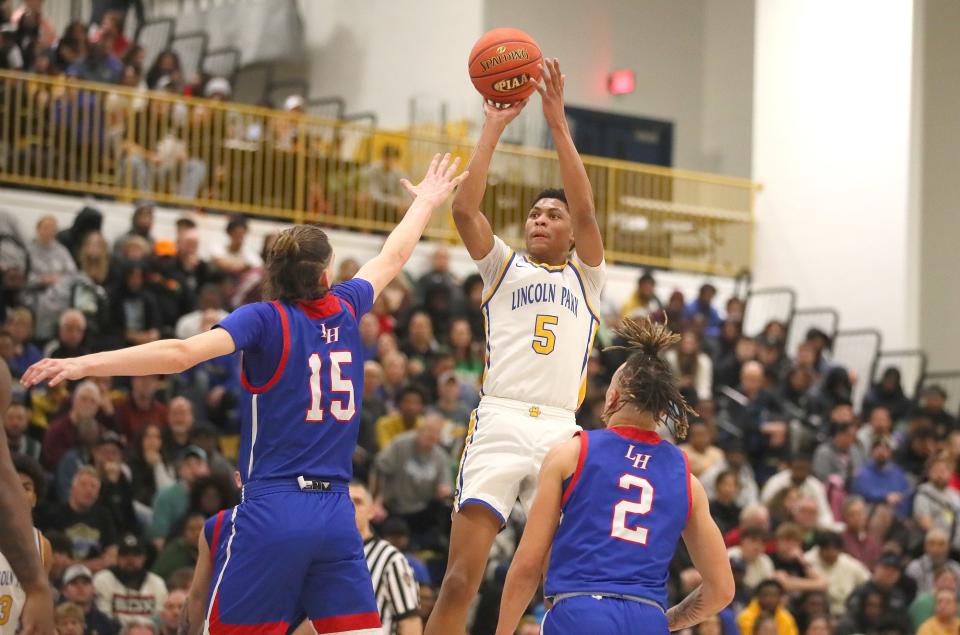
pixel 398 595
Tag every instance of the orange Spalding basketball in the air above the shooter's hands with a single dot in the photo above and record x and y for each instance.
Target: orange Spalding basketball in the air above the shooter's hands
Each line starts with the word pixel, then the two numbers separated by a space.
pixel 503 65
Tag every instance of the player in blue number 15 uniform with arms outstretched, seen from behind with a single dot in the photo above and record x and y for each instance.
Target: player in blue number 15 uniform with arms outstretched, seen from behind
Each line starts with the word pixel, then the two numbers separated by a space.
pixel 291 550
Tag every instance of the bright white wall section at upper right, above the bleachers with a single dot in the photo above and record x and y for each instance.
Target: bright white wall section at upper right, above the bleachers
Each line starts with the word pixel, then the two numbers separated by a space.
pixel 832 147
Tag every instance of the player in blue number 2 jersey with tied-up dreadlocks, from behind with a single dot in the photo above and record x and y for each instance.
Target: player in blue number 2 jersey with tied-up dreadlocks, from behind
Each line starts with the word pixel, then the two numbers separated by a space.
pixel 612 504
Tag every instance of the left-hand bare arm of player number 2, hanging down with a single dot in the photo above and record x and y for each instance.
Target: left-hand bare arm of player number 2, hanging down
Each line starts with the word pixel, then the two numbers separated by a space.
pixel 526 568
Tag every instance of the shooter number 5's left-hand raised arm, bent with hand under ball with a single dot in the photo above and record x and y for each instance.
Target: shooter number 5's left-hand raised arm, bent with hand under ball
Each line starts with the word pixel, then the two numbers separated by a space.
pixel 473 226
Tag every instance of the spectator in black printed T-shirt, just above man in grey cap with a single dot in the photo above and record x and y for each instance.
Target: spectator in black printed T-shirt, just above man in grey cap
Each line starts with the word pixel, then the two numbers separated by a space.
pixel 87 524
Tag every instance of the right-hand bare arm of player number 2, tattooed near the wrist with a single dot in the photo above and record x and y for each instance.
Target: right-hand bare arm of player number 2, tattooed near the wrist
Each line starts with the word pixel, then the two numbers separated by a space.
pixel 709 555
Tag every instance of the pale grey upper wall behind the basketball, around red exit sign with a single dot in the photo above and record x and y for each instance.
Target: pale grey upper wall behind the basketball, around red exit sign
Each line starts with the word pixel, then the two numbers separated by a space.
pixel 693 61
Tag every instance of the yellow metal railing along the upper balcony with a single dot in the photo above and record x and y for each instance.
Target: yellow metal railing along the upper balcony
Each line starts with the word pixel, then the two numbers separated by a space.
pixel 75 136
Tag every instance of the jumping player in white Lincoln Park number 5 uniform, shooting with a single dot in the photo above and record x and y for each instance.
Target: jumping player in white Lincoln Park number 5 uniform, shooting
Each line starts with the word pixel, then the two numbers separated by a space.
pixel 540 320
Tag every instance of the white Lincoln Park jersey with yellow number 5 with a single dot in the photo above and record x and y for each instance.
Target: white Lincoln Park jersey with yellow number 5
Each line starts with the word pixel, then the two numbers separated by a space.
pixel 540 323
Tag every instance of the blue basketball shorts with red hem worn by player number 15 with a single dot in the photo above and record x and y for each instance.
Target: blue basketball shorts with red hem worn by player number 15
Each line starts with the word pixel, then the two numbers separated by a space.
pixel 284 555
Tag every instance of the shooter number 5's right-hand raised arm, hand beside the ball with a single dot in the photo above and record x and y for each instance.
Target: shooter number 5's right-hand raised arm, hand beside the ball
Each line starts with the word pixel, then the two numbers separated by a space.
pixel 576 185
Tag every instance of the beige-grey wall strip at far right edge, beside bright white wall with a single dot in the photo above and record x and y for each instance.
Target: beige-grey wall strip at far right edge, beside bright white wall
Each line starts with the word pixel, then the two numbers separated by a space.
pixel 940 218
